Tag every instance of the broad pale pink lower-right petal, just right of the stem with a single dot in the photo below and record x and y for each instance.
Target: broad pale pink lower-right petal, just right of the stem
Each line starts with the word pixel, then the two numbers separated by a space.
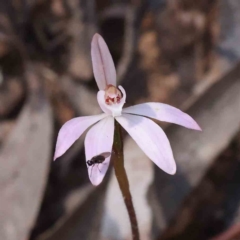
pixel 151 139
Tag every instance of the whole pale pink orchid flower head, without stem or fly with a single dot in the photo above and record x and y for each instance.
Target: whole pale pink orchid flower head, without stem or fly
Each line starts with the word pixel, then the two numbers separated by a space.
pixel 135 120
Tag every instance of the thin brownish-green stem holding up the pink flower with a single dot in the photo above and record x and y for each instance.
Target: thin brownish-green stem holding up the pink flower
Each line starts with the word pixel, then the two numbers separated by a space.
pixel 118 164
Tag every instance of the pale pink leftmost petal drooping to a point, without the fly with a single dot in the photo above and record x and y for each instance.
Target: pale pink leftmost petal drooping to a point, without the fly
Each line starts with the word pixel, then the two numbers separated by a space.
pixel 72 130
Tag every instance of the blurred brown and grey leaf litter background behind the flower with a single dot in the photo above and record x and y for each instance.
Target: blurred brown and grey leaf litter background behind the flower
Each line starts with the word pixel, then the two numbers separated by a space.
pixel 181 52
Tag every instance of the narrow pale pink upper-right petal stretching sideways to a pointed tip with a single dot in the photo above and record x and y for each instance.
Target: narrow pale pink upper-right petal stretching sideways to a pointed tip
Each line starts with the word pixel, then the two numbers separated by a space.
pixel 163 112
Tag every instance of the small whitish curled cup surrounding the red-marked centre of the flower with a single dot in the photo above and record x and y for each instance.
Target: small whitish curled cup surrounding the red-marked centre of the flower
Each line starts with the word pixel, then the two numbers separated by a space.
pixel 115 109
